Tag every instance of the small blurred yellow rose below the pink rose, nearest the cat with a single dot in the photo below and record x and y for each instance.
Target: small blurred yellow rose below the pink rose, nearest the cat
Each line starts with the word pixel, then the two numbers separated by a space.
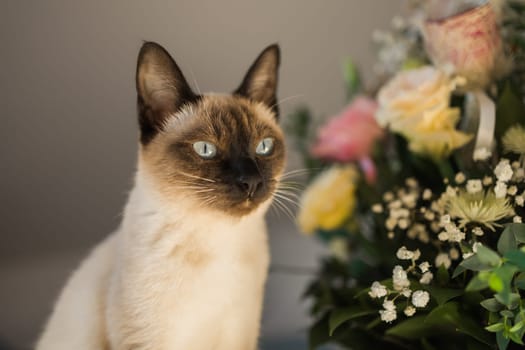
pixel 329 200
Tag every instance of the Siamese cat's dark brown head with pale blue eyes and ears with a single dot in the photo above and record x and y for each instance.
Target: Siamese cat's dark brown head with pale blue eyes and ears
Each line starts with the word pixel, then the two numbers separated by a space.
pixel 221 152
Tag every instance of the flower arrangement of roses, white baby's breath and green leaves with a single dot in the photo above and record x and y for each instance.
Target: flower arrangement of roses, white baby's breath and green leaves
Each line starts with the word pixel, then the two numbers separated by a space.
pixel 419 187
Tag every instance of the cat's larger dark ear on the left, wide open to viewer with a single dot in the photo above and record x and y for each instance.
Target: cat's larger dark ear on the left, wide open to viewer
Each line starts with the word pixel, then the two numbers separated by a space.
pixel 161 89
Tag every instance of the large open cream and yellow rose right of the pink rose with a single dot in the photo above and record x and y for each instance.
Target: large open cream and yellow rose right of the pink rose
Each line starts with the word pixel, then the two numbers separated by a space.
pixel 415 104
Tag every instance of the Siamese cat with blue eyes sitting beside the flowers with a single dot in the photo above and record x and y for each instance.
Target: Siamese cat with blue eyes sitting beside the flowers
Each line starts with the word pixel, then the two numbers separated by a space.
pixel 186 269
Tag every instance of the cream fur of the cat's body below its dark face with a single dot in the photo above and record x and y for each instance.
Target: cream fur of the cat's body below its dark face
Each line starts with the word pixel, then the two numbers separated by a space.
pixel 171 277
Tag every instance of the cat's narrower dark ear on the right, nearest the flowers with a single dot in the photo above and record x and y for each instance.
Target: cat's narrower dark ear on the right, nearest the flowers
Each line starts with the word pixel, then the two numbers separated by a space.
pixel 260 83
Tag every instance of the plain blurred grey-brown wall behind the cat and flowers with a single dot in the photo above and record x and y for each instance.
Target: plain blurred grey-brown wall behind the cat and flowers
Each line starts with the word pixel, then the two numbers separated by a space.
pixel 68 127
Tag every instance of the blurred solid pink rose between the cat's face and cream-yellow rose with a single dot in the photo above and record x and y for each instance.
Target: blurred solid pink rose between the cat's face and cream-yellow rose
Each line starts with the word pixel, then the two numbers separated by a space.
pixel 350 136
